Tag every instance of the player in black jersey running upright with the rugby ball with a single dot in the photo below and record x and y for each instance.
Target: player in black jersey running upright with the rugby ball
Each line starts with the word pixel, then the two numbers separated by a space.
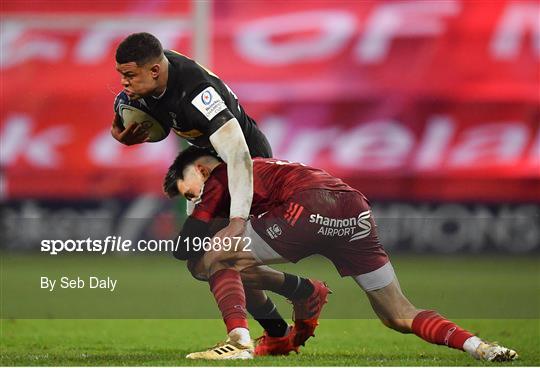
pixel 199 107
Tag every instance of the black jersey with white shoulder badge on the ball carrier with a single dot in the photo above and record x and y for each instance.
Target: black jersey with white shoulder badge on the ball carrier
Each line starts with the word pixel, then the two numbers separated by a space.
pixel 196 103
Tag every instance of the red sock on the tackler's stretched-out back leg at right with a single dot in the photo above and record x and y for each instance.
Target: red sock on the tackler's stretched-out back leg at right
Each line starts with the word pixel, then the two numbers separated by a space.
pixel 433 328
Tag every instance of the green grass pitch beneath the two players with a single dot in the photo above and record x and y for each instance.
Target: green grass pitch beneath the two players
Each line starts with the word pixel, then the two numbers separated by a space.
pixel 496 297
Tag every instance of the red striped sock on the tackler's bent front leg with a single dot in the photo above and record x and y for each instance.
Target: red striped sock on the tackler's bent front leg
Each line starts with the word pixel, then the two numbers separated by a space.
pixel 226 285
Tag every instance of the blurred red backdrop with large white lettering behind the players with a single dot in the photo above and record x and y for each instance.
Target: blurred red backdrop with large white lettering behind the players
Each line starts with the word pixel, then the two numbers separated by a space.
pixel 405 100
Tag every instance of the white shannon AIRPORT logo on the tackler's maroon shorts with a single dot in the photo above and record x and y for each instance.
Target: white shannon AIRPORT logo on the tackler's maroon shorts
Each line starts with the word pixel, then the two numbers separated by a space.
pixel 356 227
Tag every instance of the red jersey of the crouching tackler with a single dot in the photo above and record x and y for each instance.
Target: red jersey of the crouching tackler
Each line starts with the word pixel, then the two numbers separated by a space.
pixel 274 182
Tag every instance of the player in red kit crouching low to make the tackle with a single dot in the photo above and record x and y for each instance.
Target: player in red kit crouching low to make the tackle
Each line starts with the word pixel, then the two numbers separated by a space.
pixel 298 211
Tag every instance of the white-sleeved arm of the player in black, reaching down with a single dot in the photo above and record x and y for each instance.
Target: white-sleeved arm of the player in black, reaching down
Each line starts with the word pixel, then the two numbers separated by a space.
pixel 230 144
